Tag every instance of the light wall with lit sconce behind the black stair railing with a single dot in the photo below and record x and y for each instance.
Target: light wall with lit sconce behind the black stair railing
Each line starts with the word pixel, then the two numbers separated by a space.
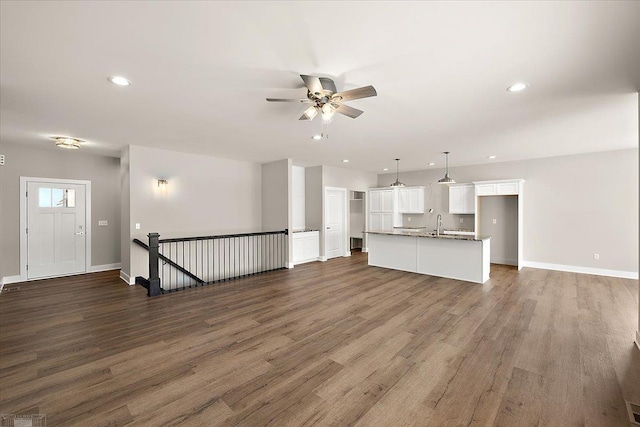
pixel 205 196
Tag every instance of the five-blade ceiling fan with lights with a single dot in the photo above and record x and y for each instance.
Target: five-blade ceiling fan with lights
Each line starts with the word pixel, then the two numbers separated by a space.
pixel 326 100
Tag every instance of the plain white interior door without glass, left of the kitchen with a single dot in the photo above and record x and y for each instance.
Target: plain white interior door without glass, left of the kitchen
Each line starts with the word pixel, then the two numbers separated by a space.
pixel 335 215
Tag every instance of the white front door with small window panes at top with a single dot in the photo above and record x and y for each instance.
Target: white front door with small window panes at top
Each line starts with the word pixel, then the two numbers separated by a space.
pixel 56 229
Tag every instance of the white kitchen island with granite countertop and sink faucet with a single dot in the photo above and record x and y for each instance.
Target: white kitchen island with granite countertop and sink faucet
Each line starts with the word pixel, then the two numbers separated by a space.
pixel 451 256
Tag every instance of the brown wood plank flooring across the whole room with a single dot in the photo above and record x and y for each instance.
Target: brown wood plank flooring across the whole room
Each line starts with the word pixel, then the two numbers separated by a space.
pixel 326 344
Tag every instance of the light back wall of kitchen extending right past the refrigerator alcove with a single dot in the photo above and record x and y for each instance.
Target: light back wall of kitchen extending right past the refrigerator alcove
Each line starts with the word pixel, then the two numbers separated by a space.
pixel 574 206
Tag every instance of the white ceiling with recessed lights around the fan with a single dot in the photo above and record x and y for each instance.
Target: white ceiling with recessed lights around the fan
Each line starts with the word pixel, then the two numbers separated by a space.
pixel 201 72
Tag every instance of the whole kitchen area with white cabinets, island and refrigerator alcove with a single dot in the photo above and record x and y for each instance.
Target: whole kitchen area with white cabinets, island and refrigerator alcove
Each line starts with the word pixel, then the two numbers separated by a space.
pixel 482 225
